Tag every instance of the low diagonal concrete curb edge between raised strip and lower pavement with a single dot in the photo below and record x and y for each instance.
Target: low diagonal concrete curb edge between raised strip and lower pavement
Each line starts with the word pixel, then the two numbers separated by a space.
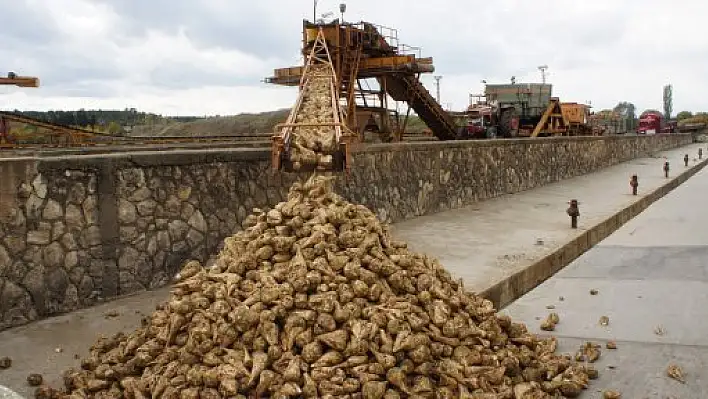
pixel 523 281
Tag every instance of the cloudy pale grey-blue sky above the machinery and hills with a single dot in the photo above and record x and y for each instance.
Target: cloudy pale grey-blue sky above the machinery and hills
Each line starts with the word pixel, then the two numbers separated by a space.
pixel 207 57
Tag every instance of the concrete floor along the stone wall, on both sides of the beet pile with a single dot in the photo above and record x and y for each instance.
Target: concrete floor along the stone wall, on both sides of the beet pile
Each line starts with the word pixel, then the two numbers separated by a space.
pixel 484 244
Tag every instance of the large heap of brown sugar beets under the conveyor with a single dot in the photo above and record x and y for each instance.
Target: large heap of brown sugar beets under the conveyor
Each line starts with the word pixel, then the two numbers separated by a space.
pixel 314 299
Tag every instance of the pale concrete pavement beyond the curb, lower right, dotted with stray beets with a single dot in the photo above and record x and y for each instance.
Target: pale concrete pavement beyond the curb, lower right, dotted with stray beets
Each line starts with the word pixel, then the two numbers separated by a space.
pixel 651 278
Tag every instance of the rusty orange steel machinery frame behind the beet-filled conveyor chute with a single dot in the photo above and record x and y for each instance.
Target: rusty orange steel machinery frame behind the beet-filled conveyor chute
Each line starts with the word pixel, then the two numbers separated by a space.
pixel 371 65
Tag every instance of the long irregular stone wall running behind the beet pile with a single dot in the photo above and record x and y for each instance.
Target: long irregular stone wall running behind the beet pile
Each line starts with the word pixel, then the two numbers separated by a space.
pixel 78 230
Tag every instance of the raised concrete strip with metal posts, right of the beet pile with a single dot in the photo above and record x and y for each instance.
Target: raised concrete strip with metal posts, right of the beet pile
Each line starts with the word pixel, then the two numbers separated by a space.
pixel 491 240
